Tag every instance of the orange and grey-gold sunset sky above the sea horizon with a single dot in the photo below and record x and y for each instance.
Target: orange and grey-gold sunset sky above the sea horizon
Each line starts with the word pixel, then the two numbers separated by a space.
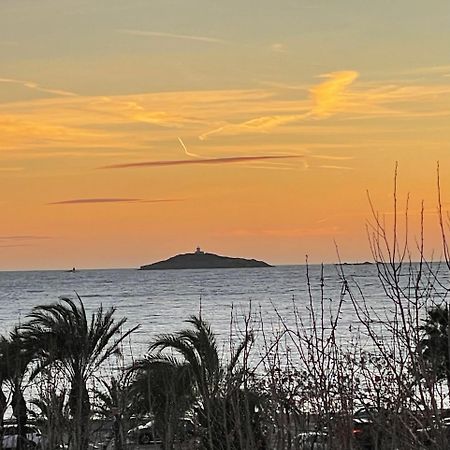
pixel 134 130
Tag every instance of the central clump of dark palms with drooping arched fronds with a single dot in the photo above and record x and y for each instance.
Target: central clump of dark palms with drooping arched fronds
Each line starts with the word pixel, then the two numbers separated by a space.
pixel 193 378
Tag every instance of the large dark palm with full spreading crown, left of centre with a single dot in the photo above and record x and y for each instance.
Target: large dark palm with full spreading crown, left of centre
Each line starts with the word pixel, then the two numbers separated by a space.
pixel 63 337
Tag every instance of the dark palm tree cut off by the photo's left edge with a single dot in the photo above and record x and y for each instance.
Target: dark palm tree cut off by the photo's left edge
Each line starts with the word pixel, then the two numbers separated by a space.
pixel 15 358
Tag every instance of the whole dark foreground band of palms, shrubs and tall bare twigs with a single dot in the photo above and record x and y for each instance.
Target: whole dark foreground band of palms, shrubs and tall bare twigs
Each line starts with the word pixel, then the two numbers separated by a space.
pixel 294 386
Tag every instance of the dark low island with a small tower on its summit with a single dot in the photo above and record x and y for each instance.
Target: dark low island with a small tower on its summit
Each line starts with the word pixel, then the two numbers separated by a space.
pixel 202 260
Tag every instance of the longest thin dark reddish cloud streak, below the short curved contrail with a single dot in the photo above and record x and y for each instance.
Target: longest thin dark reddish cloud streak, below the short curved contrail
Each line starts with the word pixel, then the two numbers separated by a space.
pixel 183 162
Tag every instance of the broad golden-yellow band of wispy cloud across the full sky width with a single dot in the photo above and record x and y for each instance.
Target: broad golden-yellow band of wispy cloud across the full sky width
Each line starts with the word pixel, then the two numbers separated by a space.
pixel 99 127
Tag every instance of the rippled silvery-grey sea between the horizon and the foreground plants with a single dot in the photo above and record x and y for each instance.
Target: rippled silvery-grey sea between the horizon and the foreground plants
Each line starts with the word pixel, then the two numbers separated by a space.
pixel 160 301
